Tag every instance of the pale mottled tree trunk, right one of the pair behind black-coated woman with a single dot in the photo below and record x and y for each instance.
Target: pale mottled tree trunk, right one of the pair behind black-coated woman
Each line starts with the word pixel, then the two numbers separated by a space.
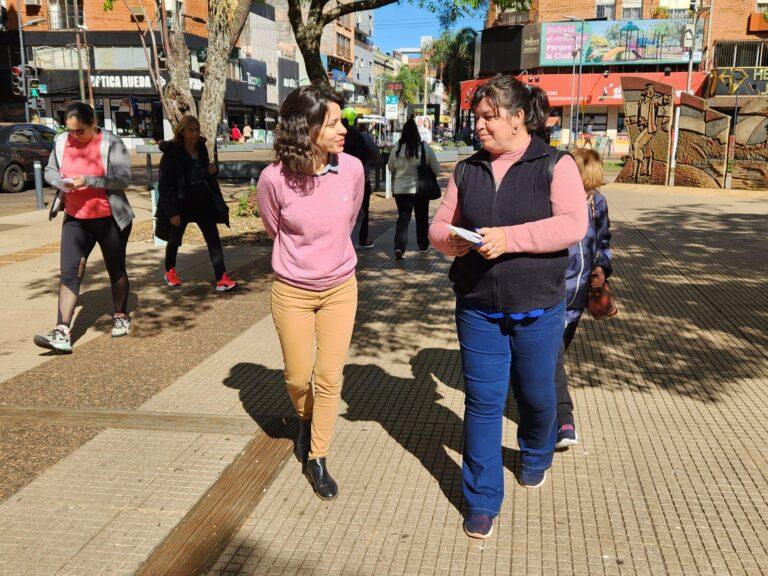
pixel 220 33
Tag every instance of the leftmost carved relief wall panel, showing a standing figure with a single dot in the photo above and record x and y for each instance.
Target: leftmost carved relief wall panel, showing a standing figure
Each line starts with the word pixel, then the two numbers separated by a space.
pixel 648 116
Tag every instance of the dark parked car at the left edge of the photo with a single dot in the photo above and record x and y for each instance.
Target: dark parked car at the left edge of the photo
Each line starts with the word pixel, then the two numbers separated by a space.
pixel 20 146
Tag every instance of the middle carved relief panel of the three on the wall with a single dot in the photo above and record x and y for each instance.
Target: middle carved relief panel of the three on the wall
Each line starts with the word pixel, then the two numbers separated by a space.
pixel 702 147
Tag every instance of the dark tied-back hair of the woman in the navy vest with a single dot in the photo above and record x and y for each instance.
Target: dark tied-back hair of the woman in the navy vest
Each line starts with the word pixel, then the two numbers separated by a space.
pixel 506 92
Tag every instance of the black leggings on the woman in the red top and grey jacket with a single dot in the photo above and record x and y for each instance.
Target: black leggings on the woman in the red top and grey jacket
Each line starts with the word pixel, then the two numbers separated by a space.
pixel 78 238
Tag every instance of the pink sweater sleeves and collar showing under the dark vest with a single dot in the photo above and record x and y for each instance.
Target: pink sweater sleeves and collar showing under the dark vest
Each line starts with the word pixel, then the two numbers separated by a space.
pixel 566 226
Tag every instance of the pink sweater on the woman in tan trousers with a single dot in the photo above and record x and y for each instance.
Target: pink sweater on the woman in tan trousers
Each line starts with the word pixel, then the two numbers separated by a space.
pixel 312 229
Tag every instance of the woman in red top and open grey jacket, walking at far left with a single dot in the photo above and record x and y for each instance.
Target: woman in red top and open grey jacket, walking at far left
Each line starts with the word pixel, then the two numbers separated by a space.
pixel 91 168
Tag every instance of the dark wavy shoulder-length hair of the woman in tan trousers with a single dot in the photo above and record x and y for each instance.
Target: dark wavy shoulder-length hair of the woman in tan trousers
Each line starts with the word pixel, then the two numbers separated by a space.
pixel 301 118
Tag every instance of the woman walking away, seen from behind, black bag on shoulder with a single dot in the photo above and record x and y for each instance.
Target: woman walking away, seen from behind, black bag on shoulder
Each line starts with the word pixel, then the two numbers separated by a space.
pixel 404 162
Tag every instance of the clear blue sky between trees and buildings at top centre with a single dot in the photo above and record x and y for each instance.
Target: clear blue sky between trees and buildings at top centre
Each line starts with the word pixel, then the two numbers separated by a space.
pixel 401 25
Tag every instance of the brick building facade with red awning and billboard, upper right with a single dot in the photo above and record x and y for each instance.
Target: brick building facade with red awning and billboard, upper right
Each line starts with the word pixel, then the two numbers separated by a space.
pixel 606 40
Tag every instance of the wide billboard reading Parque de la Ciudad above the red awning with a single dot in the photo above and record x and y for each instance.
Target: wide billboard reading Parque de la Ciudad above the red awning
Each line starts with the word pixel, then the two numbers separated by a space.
pixel 616 42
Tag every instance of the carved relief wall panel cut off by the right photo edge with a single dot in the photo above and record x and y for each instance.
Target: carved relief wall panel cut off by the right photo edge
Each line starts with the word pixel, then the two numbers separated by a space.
pixel 750 155
